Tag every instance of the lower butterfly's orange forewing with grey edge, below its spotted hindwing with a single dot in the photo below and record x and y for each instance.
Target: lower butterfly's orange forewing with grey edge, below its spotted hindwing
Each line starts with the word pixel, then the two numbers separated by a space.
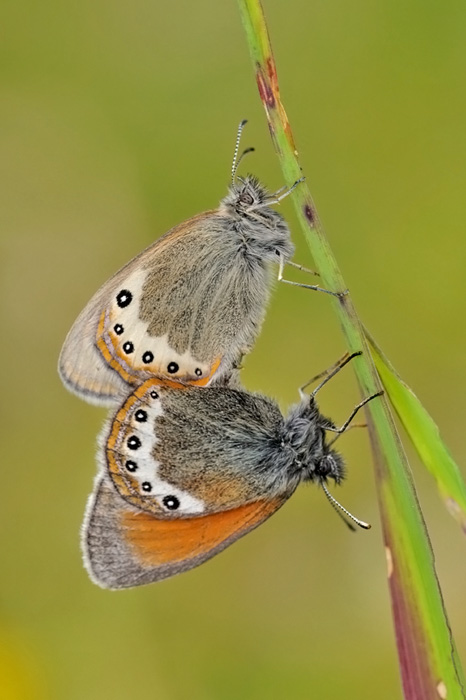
pixel 125 547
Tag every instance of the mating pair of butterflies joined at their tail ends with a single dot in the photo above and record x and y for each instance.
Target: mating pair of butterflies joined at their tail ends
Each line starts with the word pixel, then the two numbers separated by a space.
pixel 189 462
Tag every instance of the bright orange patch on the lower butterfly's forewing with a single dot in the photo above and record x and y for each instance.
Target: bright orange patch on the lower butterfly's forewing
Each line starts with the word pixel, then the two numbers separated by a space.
pixel 157 542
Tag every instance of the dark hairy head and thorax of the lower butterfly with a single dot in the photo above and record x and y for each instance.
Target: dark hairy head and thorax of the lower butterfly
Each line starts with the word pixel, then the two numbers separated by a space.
pixel 305 438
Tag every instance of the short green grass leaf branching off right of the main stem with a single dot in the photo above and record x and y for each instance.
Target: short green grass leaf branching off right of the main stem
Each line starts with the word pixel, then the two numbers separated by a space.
pixel 424 435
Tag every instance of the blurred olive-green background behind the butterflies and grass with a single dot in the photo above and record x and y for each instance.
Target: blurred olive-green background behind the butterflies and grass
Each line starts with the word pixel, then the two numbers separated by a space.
pixel 117 122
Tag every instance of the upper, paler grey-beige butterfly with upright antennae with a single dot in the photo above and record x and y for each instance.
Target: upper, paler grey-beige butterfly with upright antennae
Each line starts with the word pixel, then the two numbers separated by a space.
pixel 188 307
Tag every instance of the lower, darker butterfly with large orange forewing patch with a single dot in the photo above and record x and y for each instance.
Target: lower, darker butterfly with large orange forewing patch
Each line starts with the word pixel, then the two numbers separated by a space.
pixel 186 471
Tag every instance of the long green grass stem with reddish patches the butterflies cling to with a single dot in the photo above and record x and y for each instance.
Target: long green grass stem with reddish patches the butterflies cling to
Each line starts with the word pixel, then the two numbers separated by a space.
pixel 430 668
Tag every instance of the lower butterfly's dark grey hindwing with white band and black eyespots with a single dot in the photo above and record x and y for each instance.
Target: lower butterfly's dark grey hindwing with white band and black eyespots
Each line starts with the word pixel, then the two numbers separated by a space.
pixel 202 448
